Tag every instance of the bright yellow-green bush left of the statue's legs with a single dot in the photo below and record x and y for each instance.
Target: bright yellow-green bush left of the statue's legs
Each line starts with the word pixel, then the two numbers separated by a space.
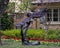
pixel 12 33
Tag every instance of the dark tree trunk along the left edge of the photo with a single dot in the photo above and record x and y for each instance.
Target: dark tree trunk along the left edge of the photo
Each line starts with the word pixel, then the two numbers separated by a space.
pixel 3 5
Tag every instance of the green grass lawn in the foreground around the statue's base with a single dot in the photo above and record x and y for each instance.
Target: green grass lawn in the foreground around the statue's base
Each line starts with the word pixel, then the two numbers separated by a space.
pixel 17 44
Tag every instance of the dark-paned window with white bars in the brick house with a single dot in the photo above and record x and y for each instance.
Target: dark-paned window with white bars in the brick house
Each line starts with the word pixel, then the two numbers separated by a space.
pixel 53 15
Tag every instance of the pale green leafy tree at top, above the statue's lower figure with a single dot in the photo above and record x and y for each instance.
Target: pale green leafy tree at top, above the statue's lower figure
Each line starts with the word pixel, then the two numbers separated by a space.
pixel 25 5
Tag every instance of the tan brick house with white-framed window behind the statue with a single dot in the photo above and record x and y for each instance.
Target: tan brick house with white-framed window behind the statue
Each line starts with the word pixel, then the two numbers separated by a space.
pixel 53 14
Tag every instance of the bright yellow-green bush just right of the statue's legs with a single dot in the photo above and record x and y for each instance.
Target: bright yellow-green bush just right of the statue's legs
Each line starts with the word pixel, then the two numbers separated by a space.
pixel 36 33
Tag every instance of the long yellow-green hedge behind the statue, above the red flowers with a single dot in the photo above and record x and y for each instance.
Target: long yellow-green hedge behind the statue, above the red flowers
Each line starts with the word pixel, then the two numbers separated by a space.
pixel 33 33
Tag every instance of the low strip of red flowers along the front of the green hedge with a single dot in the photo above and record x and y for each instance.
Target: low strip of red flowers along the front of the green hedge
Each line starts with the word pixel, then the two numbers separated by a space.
pixel 34 39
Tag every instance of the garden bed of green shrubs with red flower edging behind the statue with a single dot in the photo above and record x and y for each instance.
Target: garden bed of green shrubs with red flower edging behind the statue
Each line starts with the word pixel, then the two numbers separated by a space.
pixel 39 35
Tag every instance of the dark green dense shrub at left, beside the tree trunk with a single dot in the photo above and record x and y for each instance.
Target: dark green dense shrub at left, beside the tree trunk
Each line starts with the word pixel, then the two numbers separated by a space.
pixel 5 22
